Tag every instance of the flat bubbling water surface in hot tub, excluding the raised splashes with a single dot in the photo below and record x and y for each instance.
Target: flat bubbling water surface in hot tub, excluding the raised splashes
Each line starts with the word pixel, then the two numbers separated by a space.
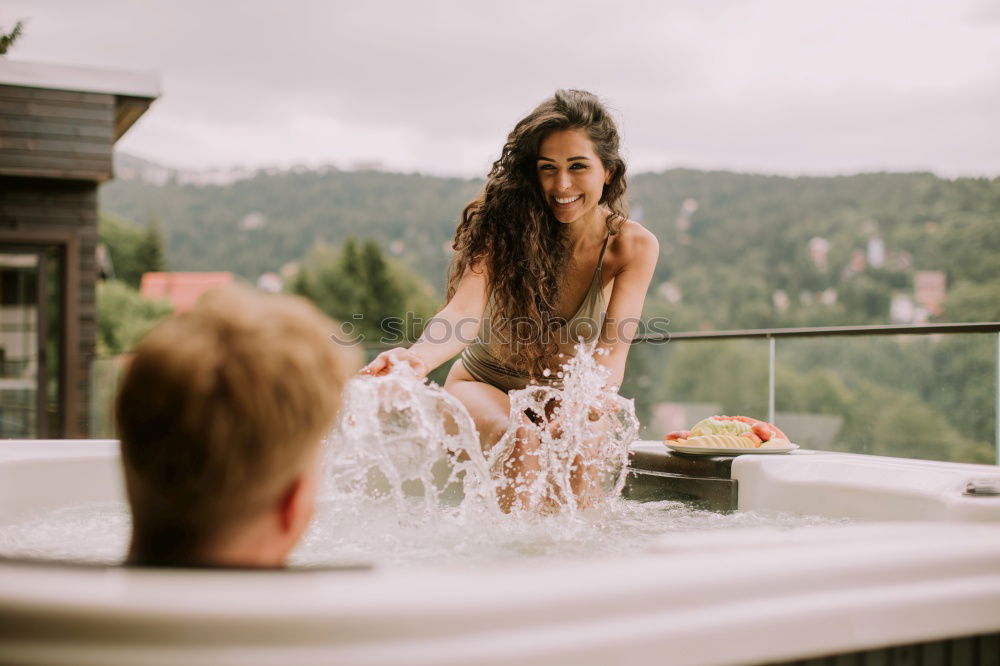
pixel 98 532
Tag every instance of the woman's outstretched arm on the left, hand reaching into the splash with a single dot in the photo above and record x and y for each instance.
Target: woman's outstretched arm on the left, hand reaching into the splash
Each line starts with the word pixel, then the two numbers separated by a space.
pixel 446 334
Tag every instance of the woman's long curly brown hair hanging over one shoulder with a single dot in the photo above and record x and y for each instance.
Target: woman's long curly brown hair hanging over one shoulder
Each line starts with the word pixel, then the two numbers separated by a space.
pixel 510 230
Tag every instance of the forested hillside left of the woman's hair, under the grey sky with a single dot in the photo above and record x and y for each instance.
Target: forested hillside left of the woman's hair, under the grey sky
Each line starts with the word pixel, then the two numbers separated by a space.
pixel 258 224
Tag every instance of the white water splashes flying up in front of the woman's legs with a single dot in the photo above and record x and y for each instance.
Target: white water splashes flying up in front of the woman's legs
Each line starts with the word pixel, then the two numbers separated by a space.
pixel 565 449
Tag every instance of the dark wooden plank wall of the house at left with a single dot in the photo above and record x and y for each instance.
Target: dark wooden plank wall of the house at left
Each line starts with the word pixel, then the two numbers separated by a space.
pixel 55 147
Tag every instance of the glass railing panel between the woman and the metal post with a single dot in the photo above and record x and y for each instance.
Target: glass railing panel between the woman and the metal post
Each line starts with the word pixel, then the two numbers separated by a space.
pixel 675 384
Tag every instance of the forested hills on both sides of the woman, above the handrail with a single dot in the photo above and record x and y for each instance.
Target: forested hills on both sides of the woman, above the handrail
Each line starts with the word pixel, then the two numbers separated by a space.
pixel 738 250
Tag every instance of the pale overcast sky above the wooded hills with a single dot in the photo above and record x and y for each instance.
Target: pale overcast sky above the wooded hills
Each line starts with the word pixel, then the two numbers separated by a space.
pixel 778 86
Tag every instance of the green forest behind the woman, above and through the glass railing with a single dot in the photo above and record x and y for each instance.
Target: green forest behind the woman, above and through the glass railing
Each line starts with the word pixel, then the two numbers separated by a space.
pixel 738 251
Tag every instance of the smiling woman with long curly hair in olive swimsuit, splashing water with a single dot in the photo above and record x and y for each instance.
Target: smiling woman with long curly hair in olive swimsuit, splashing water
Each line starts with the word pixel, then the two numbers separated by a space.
pixel 545 255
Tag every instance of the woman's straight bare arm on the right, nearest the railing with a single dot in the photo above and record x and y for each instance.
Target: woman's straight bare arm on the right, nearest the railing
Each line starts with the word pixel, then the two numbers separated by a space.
pixel 640 253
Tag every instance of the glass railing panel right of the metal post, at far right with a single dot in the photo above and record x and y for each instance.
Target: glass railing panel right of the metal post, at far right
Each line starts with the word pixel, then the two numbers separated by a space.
pixel 912 396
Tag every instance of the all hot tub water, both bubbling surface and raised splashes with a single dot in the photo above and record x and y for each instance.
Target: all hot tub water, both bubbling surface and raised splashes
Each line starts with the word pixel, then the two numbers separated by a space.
pixel 407 484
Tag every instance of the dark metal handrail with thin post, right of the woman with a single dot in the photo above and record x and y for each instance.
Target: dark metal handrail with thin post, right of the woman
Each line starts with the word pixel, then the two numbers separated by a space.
pixel 772 335
